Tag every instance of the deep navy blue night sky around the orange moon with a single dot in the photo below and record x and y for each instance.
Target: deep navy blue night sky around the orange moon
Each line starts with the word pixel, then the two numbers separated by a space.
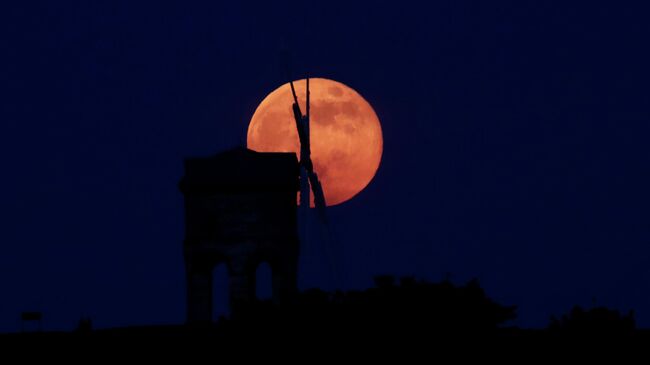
pixel 515 146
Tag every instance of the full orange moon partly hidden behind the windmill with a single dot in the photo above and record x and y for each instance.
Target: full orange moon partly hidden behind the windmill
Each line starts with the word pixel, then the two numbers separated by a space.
pixel 346 138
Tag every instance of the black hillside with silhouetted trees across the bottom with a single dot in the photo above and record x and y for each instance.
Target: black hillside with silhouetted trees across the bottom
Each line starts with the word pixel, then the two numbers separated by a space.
pixel 406 316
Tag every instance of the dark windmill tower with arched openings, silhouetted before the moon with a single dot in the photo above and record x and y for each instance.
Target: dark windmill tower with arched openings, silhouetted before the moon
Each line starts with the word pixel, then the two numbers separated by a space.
pixel 240 209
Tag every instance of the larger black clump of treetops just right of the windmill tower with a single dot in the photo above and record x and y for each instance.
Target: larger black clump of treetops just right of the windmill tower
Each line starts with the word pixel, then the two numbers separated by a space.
pixel 407 305
